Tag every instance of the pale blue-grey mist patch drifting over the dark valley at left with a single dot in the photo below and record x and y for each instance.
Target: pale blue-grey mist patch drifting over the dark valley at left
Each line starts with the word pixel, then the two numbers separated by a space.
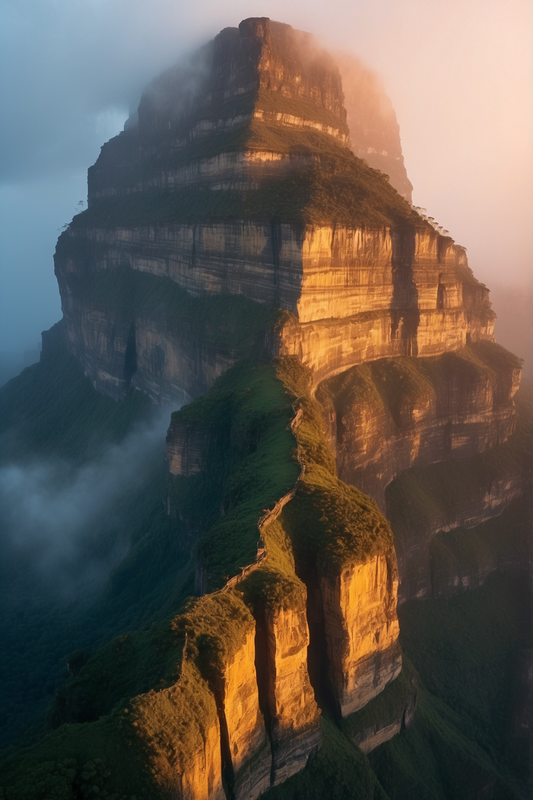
pixel 69 526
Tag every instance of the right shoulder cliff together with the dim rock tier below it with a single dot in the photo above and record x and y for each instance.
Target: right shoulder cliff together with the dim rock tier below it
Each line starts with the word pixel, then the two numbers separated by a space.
pixel 391 419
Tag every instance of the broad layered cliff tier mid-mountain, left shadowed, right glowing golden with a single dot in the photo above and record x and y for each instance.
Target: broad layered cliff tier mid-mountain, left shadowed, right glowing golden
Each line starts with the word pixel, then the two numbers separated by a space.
pixel 355 295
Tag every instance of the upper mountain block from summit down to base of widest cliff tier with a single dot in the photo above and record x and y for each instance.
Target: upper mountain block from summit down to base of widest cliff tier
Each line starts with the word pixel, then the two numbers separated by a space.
pixel 217 190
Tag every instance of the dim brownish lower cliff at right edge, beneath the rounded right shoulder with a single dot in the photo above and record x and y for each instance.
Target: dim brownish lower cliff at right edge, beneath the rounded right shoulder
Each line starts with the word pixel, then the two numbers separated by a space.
pixel 424 502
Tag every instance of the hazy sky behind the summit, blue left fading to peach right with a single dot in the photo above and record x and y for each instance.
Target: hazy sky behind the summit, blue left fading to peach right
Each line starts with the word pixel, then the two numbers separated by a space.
pixel 459 72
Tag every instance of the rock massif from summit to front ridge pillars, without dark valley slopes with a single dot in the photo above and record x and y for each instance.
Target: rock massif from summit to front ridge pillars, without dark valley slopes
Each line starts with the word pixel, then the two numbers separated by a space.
pixel 238 257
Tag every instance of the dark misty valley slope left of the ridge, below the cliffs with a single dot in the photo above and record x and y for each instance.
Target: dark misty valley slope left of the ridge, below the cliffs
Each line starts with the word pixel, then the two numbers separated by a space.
pixel 125 568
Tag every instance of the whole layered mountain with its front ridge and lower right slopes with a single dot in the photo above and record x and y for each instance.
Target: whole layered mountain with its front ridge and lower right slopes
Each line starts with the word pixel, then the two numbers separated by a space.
pixel 326 592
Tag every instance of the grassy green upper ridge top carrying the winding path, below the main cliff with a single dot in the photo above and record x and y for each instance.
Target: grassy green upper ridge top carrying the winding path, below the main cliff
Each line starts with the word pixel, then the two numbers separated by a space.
pixel 249 407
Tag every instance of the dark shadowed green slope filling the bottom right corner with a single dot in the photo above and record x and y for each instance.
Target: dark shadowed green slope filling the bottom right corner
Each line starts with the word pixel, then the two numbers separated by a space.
pixel 463 742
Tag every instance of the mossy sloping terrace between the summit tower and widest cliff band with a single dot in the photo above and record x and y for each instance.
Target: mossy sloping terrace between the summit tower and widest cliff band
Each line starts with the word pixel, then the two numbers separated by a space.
pixel 336 188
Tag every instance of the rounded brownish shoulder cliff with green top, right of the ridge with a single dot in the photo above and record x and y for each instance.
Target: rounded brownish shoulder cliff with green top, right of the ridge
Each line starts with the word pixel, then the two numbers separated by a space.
pixel 390 415
